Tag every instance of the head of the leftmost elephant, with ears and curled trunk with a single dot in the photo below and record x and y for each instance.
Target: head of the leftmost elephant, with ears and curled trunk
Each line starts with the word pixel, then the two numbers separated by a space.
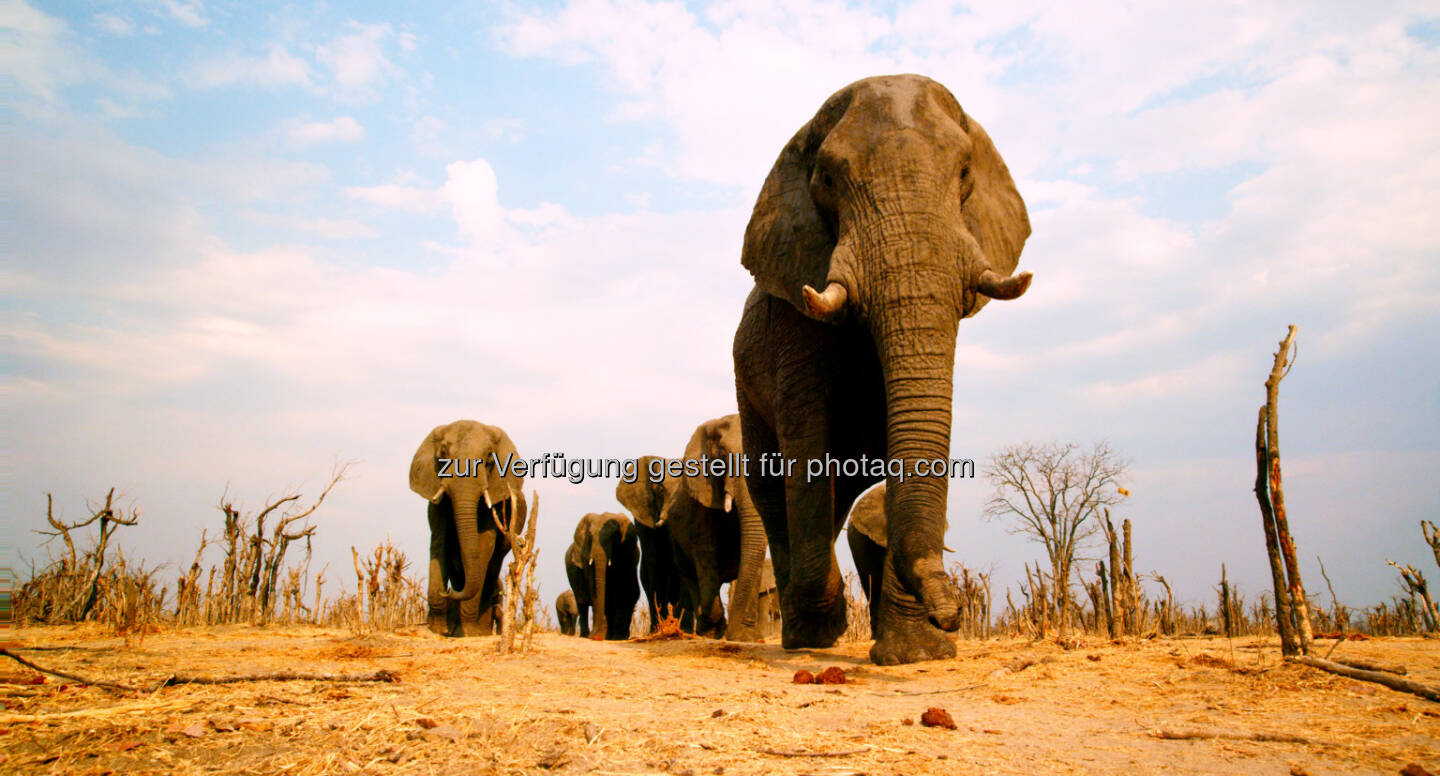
pixel 459 461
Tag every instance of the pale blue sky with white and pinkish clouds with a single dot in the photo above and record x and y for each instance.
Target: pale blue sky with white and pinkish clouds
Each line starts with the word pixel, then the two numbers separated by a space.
pixel 246 241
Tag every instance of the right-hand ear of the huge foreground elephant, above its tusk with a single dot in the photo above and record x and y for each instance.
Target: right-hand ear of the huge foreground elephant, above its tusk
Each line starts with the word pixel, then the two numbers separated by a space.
pixel 994 214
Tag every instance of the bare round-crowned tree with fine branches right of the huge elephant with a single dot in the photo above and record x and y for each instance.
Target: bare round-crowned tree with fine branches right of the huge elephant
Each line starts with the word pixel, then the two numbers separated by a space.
pixel 1055 495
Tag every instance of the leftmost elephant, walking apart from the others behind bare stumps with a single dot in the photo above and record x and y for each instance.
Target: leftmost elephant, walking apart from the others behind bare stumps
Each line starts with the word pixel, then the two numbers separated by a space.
pixel 459 470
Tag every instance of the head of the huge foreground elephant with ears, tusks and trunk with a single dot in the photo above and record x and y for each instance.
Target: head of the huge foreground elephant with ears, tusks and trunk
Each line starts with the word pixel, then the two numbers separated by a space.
pixel 896 205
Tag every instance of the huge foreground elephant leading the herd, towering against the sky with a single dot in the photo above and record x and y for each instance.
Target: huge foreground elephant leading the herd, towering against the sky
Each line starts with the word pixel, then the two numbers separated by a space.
pixel 899 208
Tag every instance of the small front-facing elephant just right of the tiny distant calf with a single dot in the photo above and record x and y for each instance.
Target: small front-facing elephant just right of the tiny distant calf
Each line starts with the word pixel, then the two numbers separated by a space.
pixel 601 568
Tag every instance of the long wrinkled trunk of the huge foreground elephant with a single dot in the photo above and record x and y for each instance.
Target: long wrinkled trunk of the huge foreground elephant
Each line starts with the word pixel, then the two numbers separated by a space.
pixel 915 339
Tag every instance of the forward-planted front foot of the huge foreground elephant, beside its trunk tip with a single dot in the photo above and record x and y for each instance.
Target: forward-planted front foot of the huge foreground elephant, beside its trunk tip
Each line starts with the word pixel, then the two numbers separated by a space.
pixel 915 628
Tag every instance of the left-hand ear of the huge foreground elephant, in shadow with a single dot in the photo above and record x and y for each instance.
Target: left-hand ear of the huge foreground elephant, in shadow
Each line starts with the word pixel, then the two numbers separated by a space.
pixel 787 243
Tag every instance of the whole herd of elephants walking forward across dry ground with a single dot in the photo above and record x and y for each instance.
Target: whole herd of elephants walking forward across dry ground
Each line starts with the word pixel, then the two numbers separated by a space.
pixel 896 207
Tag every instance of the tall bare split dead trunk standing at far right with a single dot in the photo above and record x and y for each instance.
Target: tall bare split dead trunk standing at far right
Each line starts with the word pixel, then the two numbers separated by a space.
pixel 1292 613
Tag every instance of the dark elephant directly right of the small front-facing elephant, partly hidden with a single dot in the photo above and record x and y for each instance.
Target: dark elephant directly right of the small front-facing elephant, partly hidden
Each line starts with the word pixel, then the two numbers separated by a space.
pixel 646 499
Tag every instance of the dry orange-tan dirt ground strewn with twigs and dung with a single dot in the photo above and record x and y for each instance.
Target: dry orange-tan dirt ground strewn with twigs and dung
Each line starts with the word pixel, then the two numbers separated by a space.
pixel 699 708
